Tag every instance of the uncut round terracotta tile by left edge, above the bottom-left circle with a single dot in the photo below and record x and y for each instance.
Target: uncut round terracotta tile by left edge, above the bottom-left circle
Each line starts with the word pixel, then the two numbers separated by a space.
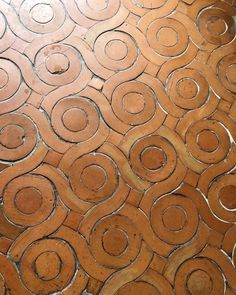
pixel 28 200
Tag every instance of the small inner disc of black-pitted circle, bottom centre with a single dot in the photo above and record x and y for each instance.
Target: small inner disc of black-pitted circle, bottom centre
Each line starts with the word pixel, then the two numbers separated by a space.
pixel 114 241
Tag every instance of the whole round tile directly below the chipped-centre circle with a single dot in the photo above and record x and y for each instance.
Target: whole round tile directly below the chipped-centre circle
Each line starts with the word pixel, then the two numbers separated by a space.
pixel 75 119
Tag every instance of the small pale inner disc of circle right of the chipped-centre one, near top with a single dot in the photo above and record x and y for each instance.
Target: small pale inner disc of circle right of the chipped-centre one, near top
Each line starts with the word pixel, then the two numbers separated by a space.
pixel 116 49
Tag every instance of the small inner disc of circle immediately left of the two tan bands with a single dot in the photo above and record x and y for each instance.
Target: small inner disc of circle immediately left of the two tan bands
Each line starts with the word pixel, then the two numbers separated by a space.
pixel 93 177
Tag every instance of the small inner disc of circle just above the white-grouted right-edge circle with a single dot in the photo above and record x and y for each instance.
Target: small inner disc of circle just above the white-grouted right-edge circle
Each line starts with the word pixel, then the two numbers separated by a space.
pixel 208 141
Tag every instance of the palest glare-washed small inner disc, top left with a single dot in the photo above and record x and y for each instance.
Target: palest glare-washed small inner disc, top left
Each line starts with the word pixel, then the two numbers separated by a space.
pixel 42 13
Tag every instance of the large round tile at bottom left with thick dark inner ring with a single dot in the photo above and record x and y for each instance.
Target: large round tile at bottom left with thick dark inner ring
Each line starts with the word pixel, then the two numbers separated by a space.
pixel 47 266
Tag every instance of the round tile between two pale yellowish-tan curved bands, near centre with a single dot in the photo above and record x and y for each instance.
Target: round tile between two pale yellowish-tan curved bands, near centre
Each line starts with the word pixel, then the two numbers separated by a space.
pixel 153 158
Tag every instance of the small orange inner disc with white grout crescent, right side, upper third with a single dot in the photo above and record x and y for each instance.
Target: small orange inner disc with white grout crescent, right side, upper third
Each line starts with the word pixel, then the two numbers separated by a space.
pixel 187 88
